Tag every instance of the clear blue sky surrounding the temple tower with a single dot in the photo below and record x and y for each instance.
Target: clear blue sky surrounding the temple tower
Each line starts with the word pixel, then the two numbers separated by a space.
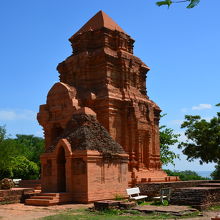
pixel 181 47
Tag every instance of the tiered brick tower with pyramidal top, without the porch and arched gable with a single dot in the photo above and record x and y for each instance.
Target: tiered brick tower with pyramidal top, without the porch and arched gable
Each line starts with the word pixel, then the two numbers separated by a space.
pixel 112 81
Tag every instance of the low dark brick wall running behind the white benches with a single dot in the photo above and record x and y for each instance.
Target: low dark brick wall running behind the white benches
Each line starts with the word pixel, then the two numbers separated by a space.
pixel 153 189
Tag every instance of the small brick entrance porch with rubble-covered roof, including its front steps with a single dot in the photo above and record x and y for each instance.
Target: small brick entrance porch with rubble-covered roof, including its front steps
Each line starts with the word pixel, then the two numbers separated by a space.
pixel 84 162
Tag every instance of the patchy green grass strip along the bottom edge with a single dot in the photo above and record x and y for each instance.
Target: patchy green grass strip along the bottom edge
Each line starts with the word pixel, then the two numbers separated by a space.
pixel 111 215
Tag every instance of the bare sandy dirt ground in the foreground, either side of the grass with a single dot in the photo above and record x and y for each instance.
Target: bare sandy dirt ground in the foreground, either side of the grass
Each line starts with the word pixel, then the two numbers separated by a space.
pixel 24 212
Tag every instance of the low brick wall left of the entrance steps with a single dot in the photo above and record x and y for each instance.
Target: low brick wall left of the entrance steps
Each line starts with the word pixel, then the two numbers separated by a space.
pixel 14 195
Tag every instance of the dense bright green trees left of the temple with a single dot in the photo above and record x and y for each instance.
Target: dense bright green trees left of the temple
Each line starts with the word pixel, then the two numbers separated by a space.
pixel 19 157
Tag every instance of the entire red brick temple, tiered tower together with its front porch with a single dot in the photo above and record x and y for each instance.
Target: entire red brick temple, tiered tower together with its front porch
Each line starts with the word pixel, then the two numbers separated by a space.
pixel 99 108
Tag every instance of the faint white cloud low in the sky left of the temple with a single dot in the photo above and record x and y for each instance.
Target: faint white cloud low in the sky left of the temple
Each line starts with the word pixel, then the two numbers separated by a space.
pixel 10 115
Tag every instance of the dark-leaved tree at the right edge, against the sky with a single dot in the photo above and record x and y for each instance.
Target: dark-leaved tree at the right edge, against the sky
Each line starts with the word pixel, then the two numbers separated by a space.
pixel 203 138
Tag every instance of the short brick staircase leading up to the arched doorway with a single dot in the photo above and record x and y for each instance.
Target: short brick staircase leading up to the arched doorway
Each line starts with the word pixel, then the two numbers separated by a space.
pixel 48 199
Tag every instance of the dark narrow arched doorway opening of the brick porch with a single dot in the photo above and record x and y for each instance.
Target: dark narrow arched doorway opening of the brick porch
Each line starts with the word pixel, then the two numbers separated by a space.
pixel 61 170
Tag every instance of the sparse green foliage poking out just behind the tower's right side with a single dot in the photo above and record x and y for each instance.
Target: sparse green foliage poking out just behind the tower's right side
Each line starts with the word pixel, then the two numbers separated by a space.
pixel 167 139
